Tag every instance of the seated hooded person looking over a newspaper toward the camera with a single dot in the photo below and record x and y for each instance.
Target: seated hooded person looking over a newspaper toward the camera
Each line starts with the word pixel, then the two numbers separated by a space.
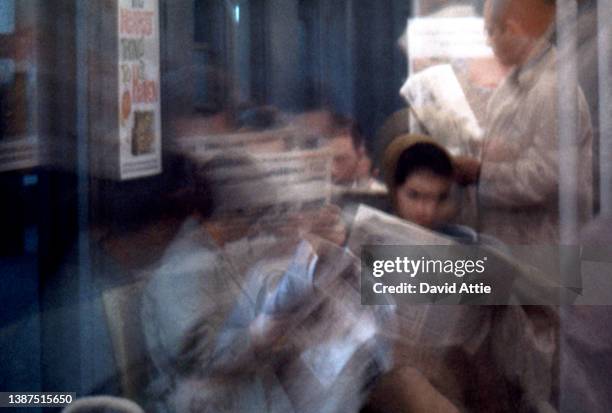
pixel 477 358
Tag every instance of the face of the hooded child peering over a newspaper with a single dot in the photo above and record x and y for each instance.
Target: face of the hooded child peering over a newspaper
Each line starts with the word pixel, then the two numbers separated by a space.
pixel 424 198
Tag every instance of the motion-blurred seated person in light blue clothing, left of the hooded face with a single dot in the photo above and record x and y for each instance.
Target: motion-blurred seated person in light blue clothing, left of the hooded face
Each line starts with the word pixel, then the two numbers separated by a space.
pixel 223 297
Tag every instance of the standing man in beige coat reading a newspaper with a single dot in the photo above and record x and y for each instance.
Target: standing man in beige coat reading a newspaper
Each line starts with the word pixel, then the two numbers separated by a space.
pixel 518 183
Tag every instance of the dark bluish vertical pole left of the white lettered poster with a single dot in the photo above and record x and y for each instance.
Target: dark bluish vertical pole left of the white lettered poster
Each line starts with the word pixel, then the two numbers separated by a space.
pixel 85 280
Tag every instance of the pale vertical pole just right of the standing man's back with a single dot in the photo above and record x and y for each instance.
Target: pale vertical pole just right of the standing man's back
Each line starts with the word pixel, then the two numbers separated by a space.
pixel 567 86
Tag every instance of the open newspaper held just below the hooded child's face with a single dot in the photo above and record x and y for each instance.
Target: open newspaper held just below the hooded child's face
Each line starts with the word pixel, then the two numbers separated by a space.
pixel 523 277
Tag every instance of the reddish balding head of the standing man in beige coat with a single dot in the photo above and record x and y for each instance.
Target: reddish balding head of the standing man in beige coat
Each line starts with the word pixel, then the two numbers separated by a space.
pixel 514 26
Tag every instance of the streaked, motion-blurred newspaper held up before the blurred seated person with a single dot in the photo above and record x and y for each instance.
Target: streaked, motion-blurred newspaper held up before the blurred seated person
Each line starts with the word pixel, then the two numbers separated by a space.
pixel 281 170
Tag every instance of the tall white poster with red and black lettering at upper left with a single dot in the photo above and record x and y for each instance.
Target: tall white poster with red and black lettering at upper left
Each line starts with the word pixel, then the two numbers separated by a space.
pixel 139 88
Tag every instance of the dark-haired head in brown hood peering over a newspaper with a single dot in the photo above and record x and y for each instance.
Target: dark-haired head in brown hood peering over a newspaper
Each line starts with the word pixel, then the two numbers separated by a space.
pixel 419 175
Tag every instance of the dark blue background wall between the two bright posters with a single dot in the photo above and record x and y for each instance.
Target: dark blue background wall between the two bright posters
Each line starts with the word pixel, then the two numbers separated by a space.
pixel 303 54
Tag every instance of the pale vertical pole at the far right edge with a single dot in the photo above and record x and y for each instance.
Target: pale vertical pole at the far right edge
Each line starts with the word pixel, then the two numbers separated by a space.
pixel 604 48
